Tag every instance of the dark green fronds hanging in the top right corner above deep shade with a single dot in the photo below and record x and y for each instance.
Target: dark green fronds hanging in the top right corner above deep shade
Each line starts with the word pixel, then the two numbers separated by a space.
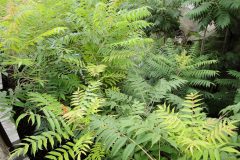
pixel 220 12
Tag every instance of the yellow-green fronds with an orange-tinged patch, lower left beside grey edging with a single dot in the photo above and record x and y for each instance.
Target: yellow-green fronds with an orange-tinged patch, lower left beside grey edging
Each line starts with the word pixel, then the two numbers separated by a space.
pixel 63 130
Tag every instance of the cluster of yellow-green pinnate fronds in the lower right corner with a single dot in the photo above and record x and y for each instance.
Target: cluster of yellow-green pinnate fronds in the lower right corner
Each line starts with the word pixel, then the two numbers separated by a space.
pixel 197 136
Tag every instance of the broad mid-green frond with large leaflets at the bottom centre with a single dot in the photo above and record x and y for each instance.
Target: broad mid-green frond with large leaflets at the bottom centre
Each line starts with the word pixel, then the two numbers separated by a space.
pixel 111 136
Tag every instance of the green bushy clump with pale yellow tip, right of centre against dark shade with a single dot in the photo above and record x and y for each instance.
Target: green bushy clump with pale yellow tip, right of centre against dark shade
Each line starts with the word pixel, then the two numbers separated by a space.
pixel 170 74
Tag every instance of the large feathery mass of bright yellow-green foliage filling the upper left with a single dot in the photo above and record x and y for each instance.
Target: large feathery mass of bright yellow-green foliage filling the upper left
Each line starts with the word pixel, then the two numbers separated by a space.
pixel 90 33
